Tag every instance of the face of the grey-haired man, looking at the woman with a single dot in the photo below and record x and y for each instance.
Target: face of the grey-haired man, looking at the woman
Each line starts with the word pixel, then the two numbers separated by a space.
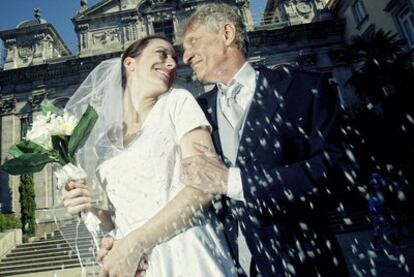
pixel 204 52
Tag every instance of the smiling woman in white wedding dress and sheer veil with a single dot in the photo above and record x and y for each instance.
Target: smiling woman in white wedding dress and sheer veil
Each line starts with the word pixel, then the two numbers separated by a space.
pixel 145 127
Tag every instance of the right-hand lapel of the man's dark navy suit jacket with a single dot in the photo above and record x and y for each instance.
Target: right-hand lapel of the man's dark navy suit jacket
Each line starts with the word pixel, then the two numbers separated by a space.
pixel 271 88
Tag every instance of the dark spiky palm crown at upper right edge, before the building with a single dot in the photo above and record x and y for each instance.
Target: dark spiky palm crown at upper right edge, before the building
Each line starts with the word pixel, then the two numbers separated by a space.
pixel 381 67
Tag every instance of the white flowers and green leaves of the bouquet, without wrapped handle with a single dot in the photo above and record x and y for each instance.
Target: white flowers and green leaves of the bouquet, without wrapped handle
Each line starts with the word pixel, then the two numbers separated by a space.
pixel 54 137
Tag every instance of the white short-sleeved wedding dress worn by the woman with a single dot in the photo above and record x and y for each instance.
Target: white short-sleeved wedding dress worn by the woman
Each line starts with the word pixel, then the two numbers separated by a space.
pixel 142 178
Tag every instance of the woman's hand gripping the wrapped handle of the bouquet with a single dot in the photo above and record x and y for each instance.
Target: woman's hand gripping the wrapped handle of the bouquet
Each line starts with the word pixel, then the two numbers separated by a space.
pixel 76 196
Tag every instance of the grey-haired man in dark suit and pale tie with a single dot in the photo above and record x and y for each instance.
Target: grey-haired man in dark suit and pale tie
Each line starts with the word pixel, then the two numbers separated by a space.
pixel 277 133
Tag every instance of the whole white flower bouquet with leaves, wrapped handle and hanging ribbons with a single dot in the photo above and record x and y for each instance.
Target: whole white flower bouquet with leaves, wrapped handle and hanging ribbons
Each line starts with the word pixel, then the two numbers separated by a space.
pixel 54 137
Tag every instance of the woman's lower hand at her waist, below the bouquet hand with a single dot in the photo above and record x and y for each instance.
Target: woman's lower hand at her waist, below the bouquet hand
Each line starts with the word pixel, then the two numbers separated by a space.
pixel 120 257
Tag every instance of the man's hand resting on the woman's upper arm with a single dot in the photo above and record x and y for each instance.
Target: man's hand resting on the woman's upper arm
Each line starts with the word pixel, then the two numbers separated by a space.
pixel 205 171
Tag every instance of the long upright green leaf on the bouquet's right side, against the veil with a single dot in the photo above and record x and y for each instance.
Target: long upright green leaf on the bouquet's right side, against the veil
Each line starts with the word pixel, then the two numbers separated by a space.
pixel 82 130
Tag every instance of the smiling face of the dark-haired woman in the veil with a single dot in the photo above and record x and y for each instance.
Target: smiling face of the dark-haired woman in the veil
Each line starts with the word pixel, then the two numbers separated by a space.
pixel 154 69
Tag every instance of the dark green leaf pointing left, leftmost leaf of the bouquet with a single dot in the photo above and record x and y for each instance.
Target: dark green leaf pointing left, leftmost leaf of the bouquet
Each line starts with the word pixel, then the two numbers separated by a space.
pixel 26 163
